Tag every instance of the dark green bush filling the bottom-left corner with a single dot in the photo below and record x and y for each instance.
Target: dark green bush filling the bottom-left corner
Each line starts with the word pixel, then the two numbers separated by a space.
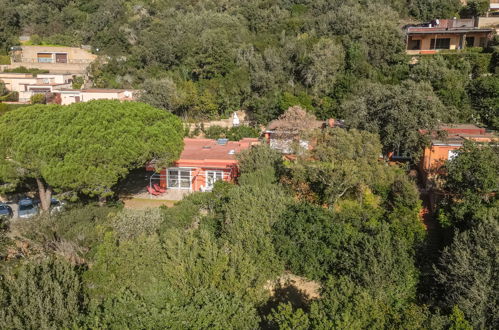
pixel 40 295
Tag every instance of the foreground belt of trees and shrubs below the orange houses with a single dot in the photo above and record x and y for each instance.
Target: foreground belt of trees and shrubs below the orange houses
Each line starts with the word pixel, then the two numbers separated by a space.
pixel 337 217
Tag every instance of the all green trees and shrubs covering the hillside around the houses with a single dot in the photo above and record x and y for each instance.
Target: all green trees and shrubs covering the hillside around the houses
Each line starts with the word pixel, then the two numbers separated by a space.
pixel 337 217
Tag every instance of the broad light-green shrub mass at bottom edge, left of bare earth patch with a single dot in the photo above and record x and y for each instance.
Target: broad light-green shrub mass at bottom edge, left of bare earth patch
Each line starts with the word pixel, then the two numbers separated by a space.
pixel 188 268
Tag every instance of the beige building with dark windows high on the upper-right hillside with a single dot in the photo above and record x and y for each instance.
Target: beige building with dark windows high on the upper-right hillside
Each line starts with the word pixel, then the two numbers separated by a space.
pixel 453 34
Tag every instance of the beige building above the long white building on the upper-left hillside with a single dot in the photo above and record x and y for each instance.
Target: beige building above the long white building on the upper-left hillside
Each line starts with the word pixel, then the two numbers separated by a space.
pixel 55 59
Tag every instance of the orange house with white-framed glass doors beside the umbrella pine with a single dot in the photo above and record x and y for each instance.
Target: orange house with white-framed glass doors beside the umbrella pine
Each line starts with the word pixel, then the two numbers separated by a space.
pixel 201 164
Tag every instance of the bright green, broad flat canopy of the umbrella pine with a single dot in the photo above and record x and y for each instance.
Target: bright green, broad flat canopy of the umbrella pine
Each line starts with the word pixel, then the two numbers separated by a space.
pixel 88 147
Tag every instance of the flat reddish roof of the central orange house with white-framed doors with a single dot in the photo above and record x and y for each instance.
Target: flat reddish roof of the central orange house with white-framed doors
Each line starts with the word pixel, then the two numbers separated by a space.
pixel 206 150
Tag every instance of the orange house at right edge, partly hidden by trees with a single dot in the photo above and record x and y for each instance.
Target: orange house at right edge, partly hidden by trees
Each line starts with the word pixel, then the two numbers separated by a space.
pixel 442 149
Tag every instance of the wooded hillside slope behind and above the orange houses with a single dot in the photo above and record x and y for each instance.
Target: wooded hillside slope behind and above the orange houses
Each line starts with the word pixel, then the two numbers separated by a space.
pixel 205 59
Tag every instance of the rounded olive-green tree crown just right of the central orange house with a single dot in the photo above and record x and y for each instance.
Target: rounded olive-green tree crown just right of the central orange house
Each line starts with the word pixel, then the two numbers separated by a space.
pixel 342 162
